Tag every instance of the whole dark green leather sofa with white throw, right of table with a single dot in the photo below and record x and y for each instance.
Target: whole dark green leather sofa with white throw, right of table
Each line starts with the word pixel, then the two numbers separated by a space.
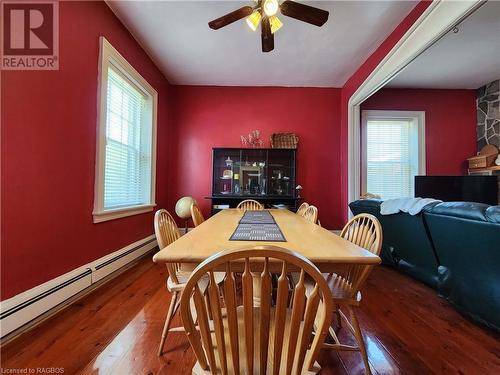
pixel 454 247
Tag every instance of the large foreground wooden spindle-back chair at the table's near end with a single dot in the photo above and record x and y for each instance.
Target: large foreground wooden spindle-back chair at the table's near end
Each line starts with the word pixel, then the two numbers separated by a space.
pixel 272 339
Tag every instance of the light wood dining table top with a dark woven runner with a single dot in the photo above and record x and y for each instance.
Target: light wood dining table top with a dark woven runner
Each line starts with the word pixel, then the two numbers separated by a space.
pixel 322 247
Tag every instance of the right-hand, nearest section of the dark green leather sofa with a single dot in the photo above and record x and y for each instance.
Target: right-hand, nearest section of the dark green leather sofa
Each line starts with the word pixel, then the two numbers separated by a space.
pixel 467 240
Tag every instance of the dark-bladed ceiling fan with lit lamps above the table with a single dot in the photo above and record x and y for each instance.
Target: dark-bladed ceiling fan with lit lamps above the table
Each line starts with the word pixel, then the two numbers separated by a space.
pixel 265 12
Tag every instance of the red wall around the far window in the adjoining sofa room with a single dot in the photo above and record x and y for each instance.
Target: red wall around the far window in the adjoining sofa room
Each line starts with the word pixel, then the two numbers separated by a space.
pixel 450 123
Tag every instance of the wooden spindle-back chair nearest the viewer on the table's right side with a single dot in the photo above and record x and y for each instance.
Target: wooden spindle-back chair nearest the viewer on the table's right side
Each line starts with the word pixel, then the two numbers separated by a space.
pixel 365 231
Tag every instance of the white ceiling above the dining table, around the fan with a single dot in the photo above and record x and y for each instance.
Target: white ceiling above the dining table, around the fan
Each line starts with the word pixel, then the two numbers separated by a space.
pixel 176 35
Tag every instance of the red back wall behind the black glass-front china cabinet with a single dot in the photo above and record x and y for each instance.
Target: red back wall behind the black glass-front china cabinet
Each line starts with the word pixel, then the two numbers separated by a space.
pixel 207 117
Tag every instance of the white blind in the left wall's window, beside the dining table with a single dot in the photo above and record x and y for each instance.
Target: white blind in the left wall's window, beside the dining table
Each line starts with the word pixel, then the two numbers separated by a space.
pixel 128 145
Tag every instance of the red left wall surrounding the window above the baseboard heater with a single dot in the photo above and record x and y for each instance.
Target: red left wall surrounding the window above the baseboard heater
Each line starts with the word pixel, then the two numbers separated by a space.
pixel 48 155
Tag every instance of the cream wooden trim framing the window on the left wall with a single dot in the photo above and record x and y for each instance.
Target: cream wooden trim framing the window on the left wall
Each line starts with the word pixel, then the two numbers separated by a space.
pixel 108 55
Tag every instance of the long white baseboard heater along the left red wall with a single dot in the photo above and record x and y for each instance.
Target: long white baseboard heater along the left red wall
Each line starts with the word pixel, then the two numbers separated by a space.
pixel 27 306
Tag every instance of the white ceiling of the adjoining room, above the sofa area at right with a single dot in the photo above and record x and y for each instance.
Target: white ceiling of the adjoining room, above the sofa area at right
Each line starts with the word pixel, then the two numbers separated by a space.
pixel 465 60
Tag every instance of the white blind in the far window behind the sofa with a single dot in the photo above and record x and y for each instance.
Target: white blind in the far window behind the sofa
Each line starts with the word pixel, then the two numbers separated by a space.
pixel 391 157
